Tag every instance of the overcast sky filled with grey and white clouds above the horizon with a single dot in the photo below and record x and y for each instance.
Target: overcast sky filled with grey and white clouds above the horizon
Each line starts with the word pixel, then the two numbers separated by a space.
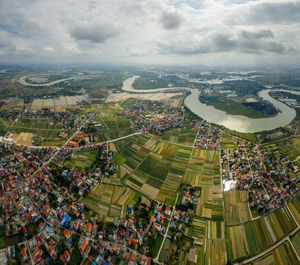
pixel 220 32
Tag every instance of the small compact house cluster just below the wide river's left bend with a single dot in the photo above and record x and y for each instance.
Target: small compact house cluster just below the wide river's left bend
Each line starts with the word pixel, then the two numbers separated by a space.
pixel 208 136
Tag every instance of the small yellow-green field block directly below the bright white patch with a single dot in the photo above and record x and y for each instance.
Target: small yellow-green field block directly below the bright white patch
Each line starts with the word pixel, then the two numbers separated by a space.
pixel 236 207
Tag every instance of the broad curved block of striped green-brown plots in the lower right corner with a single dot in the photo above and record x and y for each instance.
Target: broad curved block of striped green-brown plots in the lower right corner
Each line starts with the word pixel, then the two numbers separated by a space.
pixel 255 236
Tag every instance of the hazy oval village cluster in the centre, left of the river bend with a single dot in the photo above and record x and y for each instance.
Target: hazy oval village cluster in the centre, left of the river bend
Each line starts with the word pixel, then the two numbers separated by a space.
pixel 153 116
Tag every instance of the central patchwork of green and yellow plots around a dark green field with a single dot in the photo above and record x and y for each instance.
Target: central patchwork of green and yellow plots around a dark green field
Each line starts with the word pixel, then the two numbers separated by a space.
pixel 152 167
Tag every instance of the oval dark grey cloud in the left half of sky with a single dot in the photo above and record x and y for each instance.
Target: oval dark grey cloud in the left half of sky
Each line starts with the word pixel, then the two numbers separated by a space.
pixel 94 33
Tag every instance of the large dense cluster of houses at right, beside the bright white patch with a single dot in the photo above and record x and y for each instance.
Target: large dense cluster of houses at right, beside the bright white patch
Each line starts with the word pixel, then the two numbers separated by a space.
pixel 270 181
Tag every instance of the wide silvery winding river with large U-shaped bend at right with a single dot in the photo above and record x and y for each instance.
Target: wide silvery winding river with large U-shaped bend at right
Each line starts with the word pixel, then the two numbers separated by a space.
pixel 233 122
